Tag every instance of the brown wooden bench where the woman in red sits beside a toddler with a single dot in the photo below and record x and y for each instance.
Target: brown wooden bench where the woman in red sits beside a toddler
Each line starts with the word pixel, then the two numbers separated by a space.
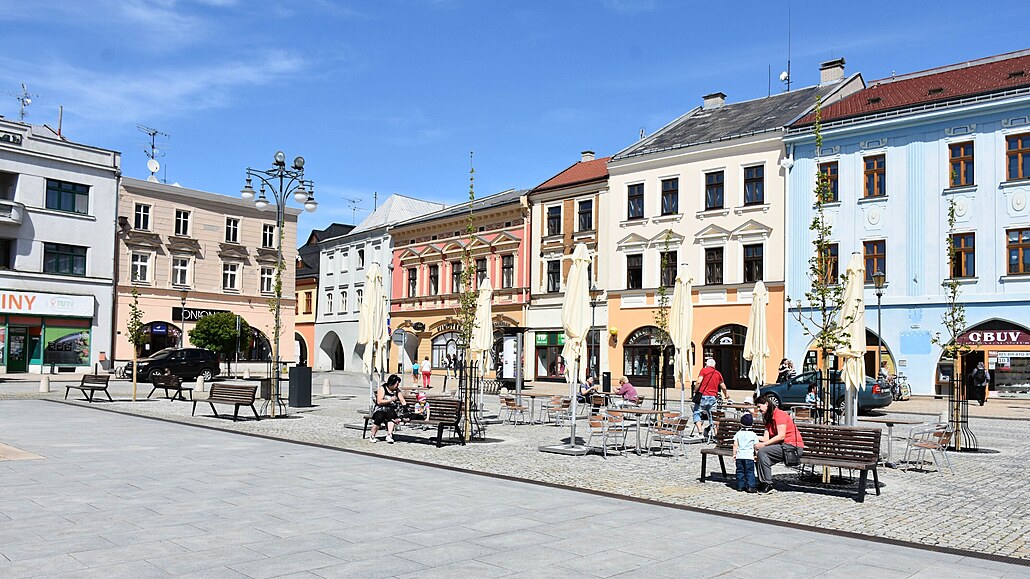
pixel 826 446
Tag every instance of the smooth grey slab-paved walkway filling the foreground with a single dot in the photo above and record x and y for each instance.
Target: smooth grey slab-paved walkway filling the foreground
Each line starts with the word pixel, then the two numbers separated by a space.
pixel 121 496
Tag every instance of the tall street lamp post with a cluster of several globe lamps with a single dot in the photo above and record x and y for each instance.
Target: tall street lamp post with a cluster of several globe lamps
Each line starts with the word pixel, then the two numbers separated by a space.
pixel 283 183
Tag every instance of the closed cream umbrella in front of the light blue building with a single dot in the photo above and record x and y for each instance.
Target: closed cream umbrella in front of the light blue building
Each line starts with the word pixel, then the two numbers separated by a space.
pixel 852 328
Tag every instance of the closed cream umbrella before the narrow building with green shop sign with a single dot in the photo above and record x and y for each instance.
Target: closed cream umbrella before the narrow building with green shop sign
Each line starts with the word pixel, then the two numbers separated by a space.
pixel 576 322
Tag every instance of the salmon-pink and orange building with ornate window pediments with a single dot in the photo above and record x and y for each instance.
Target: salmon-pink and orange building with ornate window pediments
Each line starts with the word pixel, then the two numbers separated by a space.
pixel 428 268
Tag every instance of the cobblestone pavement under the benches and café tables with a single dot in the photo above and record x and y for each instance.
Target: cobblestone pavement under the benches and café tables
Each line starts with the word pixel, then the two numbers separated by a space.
pixel 984 507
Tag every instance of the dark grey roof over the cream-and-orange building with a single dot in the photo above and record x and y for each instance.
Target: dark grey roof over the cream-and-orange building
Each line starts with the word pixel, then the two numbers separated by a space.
pixel 737 120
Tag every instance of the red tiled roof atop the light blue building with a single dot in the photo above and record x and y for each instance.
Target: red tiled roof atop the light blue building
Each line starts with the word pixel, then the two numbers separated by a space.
pixel 945 84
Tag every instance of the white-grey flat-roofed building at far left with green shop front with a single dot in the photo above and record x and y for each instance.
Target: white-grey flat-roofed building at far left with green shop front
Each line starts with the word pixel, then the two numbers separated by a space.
pixel 58 208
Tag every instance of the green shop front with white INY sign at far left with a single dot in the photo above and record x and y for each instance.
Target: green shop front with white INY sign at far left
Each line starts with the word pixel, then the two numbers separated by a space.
pixel 45 332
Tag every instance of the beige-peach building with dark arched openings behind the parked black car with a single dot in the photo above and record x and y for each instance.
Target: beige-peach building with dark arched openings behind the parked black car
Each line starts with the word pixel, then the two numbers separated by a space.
pixel 190 254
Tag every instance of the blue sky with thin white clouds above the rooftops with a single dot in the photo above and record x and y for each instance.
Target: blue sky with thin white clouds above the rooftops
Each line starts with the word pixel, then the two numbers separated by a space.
pixel 391 96
